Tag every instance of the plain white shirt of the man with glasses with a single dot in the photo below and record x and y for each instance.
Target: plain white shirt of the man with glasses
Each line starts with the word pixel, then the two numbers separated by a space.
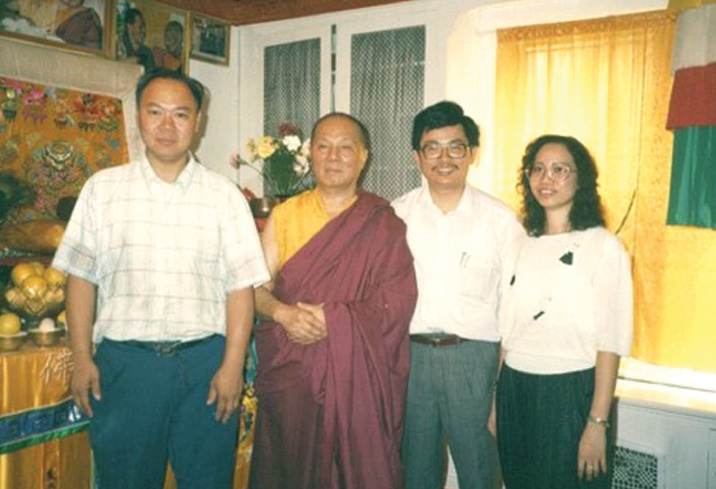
pixel 460 258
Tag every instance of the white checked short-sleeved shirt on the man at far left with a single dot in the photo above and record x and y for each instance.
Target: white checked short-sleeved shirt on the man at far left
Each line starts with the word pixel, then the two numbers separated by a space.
pixel 163 255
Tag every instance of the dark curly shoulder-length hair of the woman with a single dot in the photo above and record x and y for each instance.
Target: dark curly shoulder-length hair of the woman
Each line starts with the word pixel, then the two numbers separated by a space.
pixel 586 211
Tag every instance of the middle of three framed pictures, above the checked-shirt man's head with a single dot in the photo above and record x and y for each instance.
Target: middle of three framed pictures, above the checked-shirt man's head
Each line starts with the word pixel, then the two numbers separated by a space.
pixel 152 34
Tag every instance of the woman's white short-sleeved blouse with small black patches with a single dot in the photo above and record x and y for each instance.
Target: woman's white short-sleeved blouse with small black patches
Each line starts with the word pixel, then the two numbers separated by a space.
pixel 569 297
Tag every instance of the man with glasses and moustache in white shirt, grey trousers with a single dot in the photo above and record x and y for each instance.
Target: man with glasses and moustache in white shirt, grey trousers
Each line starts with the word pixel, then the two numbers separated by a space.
pixel 461 239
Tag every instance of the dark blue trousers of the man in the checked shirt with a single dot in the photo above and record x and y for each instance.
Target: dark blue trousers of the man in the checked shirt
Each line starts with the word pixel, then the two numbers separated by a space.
pixel 153 410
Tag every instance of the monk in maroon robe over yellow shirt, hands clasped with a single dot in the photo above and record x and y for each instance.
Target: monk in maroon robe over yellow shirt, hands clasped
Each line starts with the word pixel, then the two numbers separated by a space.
pixel 333 355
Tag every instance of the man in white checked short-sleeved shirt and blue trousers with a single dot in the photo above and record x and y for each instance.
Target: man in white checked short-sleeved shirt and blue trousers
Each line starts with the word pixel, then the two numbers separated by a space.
pixel 163 256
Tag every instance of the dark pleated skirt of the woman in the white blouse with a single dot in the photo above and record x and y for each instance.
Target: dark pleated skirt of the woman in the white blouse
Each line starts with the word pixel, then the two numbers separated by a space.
pixel 540 420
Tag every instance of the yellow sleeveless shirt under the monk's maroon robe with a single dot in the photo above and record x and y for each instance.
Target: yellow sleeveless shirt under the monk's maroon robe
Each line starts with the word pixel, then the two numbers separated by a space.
pixel 298 220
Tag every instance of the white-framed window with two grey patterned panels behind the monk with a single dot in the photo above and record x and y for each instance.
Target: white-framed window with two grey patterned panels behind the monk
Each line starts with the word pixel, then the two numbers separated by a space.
pixel 371 66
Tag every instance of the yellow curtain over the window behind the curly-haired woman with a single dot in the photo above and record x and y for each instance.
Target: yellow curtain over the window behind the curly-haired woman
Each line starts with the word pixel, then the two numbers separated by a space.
pixel 607 82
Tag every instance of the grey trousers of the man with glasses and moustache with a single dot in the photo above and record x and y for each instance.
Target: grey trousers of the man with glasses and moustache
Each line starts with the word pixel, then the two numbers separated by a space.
pixel 449 398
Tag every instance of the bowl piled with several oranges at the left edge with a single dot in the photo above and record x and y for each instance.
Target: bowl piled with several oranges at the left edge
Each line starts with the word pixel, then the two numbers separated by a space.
pixel 36 292
